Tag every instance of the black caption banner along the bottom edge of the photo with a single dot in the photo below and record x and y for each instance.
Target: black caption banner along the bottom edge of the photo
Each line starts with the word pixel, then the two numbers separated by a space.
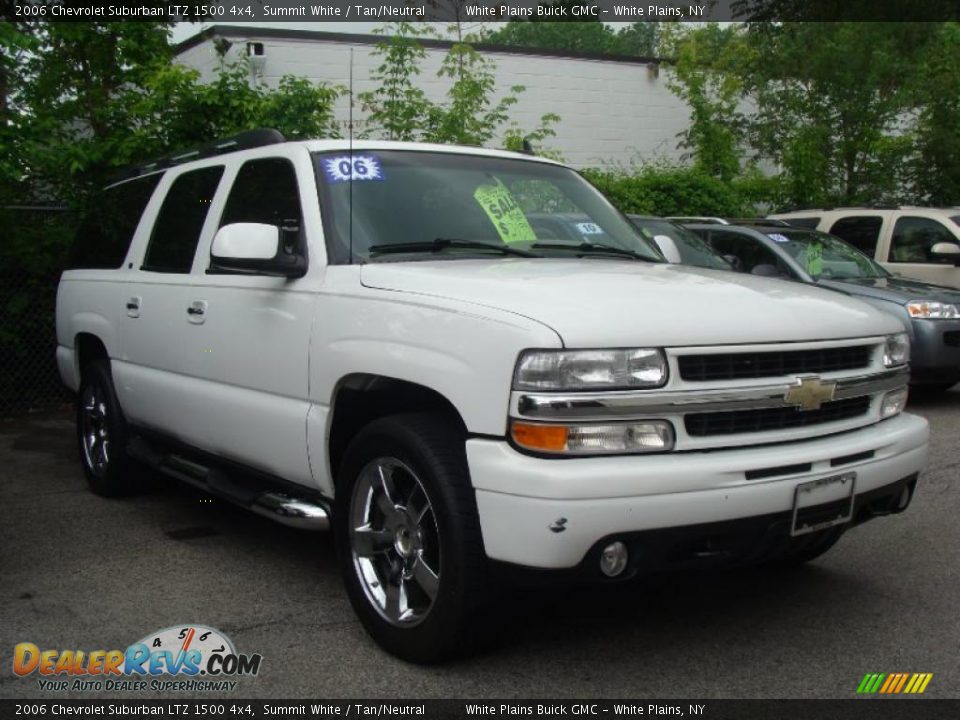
pixel 855 709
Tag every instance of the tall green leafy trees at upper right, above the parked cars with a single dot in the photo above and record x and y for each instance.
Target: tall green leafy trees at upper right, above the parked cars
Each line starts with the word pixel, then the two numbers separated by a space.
pixel 846 112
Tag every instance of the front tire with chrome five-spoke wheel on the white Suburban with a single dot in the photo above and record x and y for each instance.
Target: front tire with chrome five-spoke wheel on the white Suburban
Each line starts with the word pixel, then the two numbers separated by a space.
pixel 408 537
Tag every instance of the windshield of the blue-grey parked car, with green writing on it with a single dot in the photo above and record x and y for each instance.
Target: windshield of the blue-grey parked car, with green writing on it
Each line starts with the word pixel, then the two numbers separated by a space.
pixel 825 256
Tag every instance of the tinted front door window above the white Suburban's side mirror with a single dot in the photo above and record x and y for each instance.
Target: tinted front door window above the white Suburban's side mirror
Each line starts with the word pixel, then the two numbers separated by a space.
pixel 265 191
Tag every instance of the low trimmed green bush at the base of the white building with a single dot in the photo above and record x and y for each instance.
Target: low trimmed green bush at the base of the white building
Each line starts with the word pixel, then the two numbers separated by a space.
pixel 670 191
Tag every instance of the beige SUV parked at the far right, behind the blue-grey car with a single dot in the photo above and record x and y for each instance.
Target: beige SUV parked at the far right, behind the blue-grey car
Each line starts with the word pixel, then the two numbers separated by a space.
pixel 914 242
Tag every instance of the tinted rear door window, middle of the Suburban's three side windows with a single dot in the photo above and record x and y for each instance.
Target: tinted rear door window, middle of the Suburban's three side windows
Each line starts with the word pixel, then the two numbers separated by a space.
pixel 176 233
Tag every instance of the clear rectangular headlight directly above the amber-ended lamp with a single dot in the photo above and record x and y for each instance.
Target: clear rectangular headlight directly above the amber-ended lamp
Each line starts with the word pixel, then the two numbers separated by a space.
pixel 590 369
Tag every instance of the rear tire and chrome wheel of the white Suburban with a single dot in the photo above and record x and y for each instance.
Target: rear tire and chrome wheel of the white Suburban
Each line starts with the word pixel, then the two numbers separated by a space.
pixel 102 434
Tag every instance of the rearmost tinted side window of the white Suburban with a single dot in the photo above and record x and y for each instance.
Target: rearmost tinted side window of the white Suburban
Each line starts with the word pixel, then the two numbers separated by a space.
pixel 104 235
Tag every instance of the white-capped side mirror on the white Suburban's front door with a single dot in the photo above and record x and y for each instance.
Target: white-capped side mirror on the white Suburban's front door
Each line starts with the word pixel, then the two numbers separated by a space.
pixel 254 249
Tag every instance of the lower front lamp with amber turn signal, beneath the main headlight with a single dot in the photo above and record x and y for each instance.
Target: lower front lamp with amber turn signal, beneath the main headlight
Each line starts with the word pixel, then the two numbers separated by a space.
pixel 594 438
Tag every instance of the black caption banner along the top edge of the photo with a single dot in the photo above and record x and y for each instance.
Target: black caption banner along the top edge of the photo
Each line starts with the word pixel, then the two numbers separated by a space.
pixel 243 11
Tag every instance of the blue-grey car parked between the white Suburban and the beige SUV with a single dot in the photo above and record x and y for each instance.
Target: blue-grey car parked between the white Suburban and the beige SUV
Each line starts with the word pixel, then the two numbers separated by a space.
pixel 930 313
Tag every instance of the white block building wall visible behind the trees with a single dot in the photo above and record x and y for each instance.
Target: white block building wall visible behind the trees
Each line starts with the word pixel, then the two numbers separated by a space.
pixel 611 111
